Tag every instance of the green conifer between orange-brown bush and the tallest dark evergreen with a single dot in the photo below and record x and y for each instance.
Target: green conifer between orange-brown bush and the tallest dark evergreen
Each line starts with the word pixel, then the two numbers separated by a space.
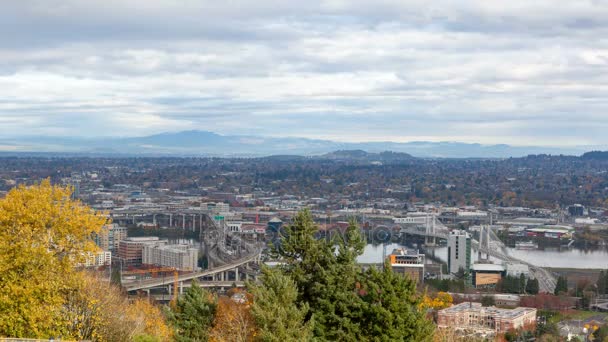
pixel 276 312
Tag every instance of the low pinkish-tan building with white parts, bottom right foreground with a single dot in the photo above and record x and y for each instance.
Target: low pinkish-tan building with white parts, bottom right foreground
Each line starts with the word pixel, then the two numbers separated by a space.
pixel 474 316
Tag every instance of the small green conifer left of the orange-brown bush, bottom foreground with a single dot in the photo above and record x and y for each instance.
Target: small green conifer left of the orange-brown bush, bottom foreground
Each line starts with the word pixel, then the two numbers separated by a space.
pixel 193 314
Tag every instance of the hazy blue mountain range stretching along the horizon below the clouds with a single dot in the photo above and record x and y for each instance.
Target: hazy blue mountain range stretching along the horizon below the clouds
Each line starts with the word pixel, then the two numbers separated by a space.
pixel 204 143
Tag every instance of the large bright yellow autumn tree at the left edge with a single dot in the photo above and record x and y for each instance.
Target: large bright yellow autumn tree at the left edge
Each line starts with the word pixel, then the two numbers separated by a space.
pixel 43 236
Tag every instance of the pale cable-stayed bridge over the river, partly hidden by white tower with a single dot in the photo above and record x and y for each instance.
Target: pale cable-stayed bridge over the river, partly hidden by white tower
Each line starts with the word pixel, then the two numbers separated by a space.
pixel 431 228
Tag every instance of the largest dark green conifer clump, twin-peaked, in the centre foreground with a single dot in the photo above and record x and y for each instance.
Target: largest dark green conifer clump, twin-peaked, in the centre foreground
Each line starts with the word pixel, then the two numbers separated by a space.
pixel 347 303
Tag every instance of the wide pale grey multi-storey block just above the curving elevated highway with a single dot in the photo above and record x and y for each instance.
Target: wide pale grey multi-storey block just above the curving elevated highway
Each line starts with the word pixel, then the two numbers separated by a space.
pixel 181 257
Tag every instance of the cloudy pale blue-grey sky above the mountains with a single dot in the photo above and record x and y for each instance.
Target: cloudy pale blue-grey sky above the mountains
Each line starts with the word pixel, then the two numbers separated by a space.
pixel 518 72
